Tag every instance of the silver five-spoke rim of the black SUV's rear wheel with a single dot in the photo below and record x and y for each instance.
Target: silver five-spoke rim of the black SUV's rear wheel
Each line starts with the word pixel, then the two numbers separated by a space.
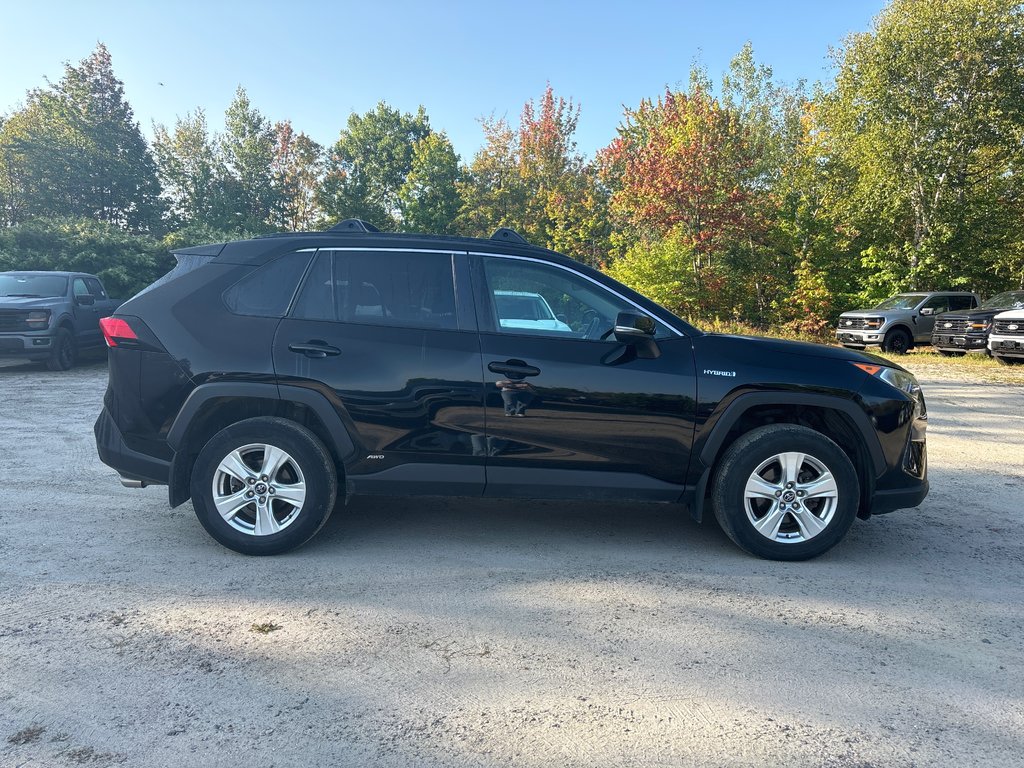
pixel 260 490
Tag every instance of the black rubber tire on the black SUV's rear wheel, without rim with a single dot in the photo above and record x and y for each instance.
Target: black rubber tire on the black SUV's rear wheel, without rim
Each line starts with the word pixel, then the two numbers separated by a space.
pixel 308 460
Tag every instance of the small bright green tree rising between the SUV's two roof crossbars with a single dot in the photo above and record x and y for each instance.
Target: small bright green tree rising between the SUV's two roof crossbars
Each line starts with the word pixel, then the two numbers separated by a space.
pixel 430 200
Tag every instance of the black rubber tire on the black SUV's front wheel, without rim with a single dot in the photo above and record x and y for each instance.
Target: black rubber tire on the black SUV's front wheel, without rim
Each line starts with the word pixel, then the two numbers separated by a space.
pixel 738 466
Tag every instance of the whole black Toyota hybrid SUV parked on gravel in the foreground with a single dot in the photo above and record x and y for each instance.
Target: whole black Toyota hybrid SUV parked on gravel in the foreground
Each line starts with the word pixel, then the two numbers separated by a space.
pixel 265 378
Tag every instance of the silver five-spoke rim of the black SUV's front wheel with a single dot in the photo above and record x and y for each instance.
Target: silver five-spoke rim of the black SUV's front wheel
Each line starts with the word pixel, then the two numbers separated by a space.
pixel 791 498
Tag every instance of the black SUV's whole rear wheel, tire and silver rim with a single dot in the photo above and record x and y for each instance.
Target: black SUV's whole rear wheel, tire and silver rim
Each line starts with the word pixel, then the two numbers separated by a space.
pixel 264 486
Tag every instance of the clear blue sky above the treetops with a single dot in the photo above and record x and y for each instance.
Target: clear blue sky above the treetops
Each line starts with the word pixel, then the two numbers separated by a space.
pixel 317 62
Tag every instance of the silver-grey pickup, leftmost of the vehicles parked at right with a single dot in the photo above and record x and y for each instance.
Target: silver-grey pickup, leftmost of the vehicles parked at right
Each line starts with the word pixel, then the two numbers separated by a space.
pixel 901 322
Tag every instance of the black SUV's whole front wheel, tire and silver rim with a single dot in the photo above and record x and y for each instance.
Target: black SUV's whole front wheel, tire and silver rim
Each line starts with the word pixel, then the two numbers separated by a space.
pixel 786 493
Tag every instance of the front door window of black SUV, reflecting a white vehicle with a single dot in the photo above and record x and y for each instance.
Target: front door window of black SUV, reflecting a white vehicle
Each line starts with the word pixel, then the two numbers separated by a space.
pixel 535 300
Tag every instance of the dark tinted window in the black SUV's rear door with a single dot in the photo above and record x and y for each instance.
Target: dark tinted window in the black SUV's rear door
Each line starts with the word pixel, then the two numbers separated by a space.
pixel 414 290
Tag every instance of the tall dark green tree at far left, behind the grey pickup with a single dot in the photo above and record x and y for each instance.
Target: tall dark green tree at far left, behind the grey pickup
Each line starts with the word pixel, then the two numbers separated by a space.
pixel 75 150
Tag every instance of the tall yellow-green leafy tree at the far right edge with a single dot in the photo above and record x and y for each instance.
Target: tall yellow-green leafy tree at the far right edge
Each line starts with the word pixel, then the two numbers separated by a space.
pixel 927 115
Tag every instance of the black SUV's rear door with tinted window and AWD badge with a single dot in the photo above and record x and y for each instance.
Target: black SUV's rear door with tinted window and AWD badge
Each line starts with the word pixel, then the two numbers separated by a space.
pixel 380 332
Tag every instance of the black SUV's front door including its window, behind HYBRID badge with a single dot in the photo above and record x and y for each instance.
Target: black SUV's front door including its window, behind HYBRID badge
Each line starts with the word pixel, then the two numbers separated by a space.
pixel 571 412
